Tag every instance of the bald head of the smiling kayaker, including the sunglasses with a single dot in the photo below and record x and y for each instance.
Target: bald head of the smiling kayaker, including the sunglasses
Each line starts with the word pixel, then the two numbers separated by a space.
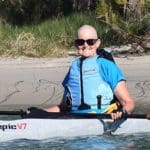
pixel 87 41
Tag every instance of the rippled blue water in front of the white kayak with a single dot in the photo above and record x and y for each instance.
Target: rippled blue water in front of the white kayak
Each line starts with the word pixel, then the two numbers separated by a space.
pixel 132 142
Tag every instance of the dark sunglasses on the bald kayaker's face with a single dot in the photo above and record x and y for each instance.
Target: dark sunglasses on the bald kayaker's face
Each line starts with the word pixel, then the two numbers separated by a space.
pixel 80 42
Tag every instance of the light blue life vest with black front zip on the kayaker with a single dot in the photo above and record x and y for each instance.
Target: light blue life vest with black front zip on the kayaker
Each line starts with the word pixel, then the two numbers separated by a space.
pixel 93 85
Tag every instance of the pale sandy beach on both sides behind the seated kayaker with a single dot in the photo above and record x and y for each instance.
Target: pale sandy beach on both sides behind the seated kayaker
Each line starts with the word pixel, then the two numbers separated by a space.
pixel 37 82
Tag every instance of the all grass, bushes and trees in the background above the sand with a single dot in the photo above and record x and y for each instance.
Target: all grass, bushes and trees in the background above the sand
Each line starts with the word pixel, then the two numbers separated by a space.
pixel 47 28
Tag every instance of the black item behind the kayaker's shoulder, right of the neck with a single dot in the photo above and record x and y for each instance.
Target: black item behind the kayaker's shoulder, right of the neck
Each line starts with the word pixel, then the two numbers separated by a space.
pixel 104 54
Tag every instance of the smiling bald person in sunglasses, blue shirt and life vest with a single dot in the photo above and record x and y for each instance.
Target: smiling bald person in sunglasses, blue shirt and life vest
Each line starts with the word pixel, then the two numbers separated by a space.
pixel 93 80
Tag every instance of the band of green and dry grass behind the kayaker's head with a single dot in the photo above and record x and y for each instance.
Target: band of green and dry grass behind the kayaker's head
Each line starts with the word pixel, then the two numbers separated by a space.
pixel 50 38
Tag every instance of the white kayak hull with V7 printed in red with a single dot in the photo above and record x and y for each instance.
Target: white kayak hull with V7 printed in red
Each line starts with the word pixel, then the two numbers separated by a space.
pixel 40 129
